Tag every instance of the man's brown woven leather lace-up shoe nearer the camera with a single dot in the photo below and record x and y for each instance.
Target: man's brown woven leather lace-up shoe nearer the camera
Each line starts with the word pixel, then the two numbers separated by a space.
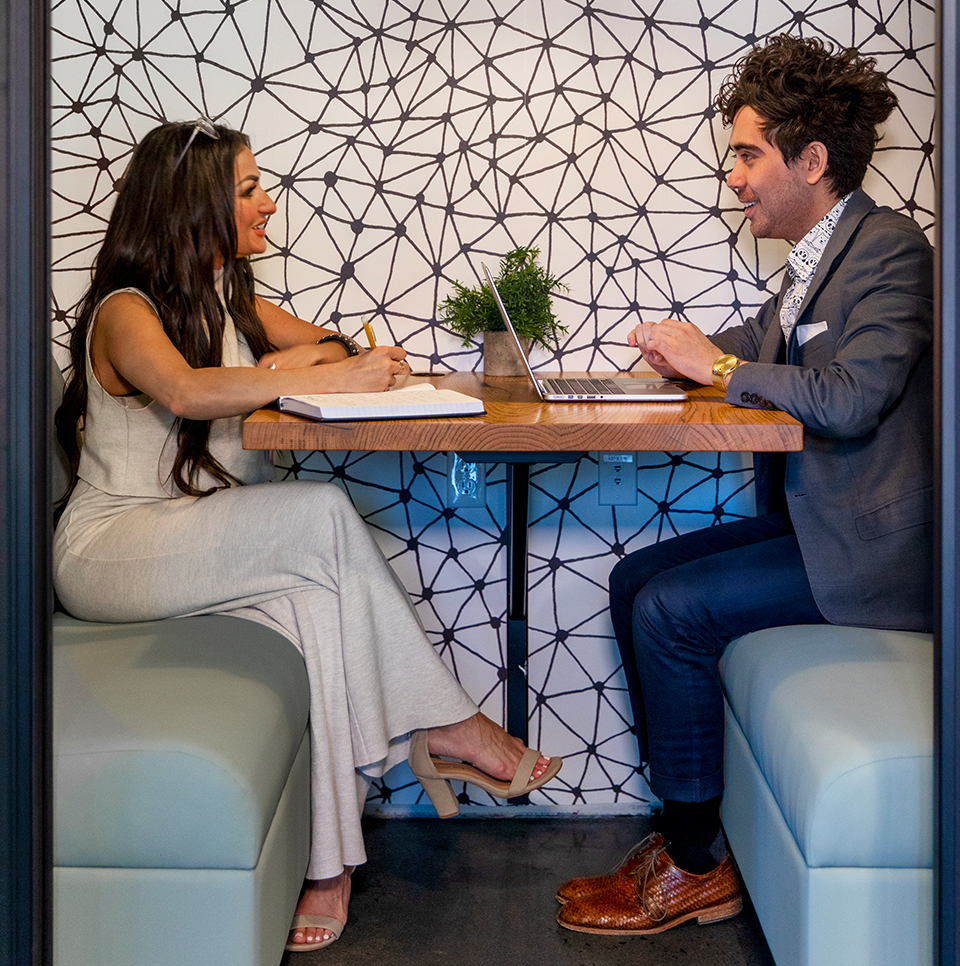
pixel 654 897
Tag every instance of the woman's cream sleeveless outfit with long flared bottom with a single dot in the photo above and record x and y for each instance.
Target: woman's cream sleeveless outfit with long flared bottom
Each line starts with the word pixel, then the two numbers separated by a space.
pixel 291 555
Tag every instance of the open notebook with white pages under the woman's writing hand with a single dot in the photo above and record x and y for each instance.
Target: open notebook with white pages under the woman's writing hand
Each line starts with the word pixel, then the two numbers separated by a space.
pixel 410 402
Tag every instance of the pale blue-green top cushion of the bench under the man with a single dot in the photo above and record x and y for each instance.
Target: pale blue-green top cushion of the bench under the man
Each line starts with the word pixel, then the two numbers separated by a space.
pixel 840 721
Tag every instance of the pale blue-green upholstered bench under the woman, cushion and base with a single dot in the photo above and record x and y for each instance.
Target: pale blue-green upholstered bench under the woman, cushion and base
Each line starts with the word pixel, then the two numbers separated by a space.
pixel 181 792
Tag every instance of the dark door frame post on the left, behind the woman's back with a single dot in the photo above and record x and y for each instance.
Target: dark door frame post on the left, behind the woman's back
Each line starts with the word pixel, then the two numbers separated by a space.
pixel 26 935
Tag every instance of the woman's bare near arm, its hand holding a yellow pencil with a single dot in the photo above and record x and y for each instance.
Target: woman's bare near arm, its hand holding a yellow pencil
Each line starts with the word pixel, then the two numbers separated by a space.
pixel 131 353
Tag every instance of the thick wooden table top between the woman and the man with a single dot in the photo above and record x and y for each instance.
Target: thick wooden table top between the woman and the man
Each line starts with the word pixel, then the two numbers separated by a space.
pixel 516 421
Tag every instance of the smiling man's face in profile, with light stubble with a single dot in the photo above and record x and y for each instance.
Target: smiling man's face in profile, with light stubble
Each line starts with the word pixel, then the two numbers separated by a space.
pixel 778 201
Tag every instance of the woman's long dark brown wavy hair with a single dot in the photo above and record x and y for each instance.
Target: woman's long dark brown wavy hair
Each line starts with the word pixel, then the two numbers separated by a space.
pixel 170 224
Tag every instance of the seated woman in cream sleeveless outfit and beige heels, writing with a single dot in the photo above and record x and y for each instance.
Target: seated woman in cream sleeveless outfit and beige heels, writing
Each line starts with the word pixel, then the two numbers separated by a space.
pixel 169 517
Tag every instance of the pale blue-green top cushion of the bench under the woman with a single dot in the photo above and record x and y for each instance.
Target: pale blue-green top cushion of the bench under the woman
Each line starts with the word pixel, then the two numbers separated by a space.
pixel 173 740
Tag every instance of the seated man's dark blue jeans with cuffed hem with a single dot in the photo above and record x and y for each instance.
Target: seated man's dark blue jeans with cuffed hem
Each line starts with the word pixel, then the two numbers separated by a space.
pixel 675 606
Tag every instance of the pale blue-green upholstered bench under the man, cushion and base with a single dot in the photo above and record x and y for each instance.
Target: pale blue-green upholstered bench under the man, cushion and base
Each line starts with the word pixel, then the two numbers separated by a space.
pixel 829 803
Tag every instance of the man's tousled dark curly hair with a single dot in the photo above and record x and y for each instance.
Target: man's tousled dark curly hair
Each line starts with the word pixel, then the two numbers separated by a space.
pixel 804 90
